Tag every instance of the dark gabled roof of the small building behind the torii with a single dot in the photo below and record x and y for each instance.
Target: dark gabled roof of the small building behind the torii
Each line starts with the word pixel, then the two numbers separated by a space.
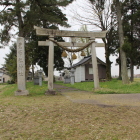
pixel 86 60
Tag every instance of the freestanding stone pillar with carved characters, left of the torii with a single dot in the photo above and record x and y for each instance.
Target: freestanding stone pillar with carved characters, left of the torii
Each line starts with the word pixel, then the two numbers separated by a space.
pixel 21 67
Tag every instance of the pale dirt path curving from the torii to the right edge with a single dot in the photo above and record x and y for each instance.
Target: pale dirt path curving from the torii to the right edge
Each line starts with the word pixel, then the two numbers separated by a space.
pixel 104 100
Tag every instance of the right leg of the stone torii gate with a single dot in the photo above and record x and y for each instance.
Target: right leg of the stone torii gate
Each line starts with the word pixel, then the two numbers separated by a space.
pixel 94 65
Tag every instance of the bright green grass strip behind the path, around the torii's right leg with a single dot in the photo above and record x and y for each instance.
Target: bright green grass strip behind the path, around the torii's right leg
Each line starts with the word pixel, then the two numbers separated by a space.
pixel 109 87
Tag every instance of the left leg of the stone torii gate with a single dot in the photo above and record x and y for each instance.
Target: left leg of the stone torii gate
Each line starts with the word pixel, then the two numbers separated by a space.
pixel 50 67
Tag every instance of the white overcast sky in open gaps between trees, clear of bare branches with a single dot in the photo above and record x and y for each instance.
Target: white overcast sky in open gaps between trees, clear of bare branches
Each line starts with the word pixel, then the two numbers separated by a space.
pixel 75 26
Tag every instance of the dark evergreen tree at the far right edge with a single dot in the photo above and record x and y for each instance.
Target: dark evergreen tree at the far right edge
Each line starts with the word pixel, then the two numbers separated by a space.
pixel 131 20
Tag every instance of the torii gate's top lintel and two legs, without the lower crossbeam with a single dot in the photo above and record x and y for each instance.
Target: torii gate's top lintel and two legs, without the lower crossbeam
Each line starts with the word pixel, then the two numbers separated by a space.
pixel 83 34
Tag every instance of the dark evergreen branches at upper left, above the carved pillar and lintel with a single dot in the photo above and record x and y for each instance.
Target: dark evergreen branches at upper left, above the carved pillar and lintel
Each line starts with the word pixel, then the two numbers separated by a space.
pixel 25 14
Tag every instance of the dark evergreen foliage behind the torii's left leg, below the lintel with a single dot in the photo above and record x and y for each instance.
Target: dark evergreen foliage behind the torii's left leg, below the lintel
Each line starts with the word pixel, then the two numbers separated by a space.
pixel 40 54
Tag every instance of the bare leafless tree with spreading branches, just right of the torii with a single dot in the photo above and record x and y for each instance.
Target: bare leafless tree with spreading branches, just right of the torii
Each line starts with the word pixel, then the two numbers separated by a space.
pixel 98 13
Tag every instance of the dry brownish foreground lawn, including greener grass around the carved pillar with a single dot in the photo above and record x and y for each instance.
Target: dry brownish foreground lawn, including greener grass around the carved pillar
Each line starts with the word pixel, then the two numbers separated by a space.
pixel 40 117
